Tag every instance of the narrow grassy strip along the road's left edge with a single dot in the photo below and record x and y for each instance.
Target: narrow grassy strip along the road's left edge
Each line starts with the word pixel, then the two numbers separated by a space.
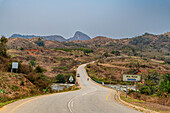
pixel 11 101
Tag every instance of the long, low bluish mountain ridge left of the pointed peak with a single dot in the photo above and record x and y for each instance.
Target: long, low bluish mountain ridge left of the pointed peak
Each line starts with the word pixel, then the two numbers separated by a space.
pixel 51 37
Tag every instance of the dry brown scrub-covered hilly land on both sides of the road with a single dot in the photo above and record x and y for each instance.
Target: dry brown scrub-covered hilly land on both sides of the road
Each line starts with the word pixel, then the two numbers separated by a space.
pixel 44 62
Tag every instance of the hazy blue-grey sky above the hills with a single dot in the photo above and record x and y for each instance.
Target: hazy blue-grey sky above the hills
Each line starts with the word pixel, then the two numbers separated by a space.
pixel 111 18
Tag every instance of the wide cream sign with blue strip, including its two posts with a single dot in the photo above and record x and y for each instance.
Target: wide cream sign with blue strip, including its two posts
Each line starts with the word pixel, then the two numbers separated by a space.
pixel 132 78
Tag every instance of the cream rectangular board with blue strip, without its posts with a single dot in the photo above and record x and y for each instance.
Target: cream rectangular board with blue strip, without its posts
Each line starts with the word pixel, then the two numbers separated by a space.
pixel 135 78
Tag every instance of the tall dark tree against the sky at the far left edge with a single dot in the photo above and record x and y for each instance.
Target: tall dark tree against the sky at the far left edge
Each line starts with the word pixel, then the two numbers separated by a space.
pixel 3 49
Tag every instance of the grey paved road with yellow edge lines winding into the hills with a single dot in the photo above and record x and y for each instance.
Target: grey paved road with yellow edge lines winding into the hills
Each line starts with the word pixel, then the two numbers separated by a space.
pixel 92 98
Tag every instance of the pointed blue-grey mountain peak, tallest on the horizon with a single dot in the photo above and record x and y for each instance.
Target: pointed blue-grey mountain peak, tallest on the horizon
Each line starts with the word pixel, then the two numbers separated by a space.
pixel 79 36
